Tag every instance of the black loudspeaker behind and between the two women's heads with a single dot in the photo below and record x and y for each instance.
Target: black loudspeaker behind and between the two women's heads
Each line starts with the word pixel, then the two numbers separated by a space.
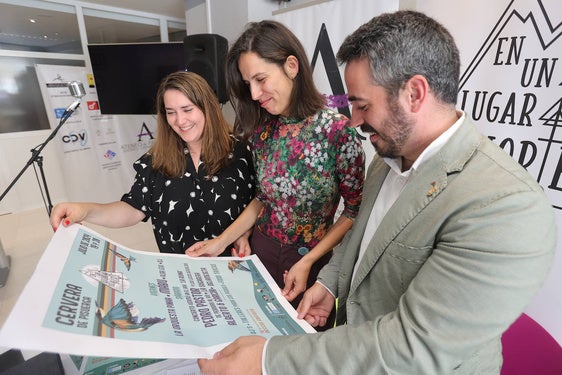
pixel 205 54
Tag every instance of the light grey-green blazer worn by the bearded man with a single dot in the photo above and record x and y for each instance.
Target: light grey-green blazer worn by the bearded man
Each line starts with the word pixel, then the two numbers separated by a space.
pixel 454 262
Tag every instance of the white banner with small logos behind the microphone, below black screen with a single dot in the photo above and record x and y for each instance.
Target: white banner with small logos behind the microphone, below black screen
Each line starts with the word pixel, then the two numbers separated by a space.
pixel 97 151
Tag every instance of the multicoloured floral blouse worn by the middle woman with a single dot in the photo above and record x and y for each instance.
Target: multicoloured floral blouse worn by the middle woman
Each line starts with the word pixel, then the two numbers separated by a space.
pixel 303 168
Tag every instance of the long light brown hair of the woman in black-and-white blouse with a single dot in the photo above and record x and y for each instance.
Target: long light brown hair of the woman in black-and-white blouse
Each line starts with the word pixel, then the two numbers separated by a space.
pixel 167 152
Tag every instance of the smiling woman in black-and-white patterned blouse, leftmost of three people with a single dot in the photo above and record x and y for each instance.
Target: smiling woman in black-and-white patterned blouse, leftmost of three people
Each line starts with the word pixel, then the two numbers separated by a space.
pixel 192 183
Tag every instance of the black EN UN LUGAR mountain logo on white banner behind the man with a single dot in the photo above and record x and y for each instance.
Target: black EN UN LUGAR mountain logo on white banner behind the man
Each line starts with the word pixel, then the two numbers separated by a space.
pixel 512 89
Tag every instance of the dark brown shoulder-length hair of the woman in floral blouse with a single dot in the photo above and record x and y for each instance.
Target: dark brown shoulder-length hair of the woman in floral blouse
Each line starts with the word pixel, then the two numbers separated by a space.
pixel 273 42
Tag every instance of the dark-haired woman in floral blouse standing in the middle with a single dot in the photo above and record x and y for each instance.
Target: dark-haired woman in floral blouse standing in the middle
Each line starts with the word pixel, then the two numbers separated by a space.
pixel 306 158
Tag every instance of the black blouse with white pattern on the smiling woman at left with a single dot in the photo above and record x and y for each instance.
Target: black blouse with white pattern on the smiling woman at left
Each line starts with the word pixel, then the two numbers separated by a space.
pixel 192 207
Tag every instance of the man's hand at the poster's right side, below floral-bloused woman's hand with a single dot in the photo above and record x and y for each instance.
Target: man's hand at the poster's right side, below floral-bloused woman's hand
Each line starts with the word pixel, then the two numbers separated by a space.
pixel 316 305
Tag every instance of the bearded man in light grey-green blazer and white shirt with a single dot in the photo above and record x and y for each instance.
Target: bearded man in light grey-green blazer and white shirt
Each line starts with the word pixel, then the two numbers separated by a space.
pixel 452 241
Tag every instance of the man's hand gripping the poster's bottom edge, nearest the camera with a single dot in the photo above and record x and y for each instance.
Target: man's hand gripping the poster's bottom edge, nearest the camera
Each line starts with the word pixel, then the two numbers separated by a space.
pixel 243 356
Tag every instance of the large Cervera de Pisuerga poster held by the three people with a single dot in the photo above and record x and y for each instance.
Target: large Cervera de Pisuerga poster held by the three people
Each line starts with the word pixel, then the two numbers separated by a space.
pixel 91 296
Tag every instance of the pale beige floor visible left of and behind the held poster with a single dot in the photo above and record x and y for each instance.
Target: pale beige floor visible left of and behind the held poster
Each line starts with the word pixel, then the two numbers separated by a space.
pixel 25 235
